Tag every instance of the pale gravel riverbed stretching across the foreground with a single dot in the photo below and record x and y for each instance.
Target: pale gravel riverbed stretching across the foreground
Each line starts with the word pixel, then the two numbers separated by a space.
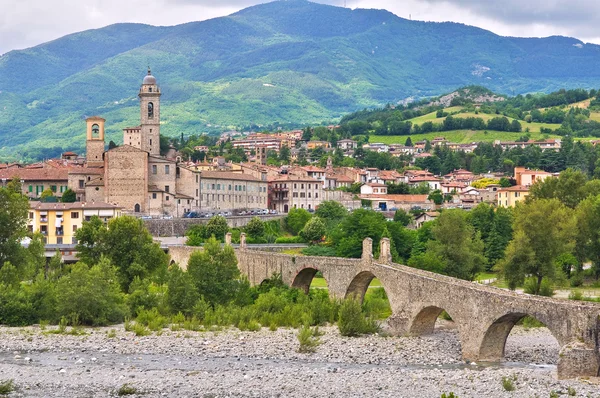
pixel 266 364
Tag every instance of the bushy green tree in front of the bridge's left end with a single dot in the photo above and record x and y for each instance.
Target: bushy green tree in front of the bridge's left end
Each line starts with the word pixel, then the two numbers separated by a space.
pixel 215 274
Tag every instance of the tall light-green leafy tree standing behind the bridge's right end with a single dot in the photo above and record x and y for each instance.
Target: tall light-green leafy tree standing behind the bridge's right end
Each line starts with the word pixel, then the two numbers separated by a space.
pixel 543 230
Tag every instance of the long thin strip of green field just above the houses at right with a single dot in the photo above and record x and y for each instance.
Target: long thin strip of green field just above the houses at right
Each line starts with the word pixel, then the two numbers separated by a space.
pixel 458 136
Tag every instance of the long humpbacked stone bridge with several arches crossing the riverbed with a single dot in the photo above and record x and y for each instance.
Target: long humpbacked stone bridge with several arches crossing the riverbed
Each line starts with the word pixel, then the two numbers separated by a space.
pixel 483 315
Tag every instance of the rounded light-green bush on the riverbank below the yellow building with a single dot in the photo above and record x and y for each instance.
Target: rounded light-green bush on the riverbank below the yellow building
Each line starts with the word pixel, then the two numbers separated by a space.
pixel 91 295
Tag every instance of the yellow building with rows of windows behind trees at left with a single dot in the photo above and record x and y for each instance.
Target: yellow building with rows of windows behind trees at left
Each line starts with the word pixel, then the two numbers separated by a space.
pixel 59 221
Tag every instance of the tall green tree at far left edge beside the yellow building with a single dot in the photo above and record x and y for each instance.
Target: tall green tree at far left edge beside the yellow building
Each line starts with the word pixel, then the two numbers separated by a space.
pixel 14 207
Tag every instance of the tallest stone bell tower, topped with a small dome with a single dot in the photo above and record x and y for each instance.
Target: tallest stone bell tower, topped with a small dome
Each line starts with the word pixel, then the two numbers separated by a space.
pixel 150 115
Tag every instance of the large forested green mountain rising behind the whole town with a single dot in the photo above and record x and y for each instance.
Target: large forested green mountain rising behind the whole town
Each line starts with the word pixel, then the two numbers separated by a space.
pixel 288 63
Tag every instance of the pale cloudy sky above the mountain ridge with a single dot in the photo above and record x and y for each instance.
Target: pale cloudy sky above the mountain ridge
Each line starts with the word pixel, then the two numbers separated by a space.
pixel 25 23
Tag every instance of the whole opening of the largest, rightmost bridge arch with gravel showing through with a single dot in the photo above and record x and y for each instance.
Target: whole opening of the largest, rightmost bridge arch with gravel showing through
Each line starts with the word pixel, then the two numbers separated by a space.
pixel 504 341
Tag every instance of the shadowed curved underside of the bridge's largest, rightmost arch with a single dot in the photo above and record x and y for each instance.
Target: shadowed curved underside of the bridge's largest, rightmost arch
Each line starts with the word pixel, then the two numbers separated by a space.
pixel 496 334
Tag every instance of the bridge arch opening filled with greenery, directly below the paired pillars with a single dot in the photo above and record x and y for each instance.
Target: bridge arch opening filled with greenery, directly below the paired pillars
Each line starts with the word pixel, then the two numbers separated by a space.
pixel 366 288
